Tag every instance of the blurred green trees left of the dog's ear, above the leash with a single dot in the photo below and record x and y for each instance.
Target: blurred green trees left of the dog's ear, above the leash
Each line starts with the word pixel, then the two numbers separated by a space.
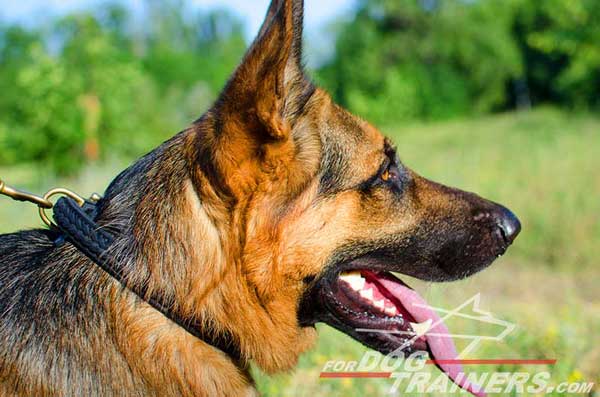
pixel 87 87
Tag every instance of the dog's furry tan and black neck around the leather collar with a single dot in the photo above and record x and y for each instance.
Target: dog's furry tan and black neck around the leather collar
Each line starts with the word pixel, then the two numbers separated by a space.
pixel 174 233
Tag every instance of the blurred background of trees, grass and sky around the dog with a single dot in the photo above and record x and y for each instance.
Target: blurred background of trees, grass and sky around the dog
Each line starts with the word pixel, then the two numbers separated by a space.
pixel 497 97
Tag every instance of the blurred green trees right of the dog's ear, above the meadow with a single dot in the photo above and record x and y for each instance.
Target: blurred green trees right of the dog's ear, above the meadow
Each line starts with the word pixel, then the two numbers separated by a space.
pixel 434 59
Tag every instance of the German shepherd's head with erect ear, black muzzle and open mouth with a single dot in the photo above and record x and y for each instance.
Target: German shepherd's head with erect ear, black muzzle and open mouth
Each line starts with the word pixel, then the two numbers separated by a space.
pixel 312 208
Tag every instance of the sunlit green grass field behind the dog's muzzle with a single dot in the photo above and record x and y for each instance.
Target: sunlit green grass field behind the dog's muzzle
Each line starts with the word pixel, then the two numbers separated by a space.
pixel 545 166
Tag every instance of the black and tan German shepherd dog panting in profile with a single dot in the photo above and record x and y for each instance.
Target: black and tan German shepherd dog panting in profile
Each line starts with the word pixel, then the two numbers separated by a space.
pixel 274 211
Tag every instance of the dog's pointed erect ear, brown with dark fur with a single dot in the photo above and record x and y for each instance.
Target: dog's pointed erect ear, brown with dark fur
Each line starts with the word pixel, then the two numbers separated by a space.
pixel 270 87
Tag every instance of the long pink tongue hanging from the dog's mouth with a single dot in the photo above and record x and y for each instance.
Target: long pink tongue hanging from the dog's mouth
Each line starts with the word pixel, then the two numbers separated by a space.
pixel 438 338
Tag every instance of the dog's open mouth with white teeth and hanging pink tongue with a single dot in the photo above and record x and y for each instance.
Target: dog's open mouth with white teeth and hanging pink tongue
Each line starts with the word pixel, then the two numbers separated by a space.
pixel 382 312
